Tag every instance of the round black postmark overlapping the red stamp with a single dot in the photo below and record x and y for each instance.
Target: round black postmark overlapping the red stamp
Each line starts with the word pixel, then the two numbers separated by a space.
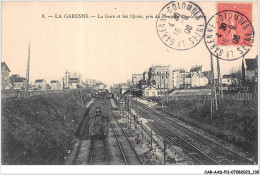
pixel 229 35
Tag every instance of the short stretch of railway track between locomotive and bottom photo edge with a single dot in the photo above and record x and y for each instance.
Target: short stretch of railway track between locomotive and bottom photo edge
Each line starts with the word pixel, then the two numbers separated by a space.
pixel 98 157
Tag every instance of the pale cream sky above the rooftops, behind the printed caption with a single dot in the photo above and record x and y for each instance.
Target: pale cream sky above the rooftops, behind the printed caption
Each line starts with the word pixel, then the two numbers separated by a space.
pixel 106 49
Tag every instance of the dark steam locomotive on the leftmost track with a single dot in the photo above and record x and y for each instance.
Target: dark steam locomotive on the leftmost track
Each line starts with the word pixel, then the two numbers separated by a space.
pixel 98 121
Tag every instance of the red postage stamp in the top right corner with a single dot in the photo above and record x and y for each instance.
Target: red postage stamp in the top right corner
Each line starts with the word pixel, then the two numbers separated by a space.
pixel 234 23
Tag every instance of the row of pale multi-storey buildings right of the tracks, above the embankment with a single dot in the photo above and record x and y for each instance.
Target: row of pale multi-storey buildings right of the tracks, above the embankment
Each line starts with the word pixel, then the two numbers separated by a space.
pixel 160 79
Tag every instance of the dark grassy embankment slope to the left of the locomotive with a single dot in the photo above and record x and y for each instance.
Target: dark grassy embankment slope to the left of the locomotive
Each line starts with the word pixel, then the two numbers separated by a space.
pixel 40 130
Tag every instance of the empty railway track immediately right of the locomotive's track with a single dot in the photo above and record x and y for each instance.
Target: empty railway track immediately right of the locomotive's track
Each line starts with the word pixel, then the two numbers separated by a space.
pixel 129 154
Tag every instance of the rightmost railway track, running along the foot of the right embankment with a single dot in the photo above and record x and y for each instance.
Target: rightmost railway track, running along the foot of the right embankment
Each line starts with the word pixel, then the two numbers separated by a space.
pixel 231 156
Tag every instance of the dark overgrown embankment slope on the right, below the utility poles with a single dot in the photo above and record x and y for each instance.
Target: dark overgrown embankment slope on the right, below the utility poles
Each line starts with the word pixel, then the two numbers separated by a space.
pixel 235 122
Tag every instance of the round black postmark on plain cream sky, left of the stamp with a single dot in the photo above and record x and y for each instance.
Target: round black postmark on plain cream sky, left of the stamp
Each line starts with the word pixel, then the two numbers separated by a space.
pixel 181 25
